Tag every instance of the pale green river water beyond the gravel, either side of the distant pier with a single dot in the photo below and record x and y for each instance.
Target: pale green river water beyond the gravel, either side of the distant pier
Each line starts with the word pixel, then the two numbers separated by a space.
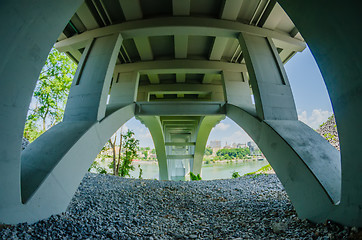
pixel 209 171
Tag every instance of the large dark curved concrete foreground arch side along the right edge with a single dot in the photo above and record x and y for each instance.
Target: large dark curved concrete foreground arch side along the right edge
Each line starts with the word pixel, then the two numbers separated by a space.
pixel 338 53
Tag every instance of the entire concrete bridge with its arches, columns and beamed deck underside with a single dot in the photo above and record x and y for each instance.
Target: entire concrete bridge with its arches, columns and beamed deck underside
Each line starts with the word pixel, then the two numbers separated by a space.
pixel 180 67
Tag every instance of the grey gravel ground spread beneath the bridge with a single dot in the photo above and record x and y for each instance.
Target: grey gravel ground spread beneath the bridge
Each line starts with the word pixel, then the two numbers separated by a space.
pixel 108 207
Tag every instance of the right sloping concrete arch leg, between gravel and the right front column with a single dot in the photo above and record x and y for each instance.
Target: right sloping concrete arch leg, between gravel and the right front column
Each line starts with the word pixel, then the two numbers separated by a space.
pixel 306 164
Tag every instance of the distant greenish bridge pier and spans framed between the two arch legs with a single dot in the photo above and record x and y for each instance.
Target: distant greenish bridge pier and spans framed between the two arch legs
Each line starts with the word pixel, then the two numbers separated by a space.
pixel 180 142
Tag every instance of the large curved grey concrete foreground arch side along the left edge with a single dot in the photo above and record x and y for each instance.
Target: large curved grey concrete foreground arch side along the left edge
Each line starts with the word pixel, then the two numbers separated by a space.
pixel 28 30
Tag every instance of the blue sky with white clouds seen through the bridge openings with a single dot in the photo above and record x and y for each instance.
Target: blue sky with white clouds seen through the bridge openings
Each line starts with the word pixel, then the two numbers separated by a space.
pixel 310 95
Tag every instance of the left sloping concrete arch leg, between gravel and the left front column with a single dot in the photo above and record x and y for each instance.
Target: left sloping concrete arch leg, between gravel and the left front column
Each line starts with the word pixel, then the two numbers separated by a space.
pixel 54 165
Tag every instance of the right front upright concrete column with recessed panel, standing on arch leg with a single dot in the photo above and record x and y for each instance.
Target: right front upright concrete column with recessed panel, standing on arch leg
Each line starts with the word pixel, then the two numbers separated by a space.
pixel 272 93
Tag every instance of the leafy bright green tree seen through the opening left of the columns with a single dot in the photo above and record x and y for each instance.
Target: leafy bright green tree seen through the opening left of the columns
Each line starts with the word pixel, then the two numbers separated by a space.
pixel 50 94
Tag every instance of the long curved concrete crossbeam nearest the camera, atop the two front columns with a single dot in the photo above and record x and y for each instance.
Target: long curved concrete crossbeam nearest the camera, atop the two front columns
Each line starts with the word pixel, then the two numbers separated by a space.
pixel 183 26
